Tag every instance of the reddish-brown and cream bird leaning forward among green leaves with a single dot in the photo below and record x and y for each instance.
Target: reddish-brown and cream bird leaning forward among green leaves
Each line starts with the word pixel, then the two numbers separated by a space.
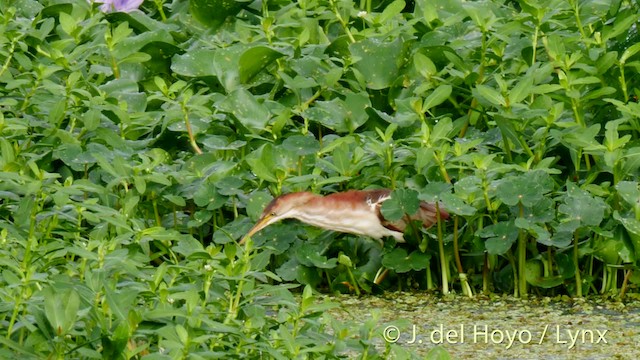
pixel 354 211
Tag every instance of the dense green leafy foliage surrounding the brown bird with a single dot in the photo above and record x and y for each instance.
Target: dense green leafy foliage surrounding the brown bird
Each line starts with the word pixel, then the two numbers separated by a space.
pixel 137 148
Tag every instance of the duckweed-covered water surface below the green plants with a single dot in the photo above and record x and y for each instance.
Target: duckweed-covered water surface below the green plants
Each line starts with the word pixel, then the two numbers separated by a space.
pixel 500 327
